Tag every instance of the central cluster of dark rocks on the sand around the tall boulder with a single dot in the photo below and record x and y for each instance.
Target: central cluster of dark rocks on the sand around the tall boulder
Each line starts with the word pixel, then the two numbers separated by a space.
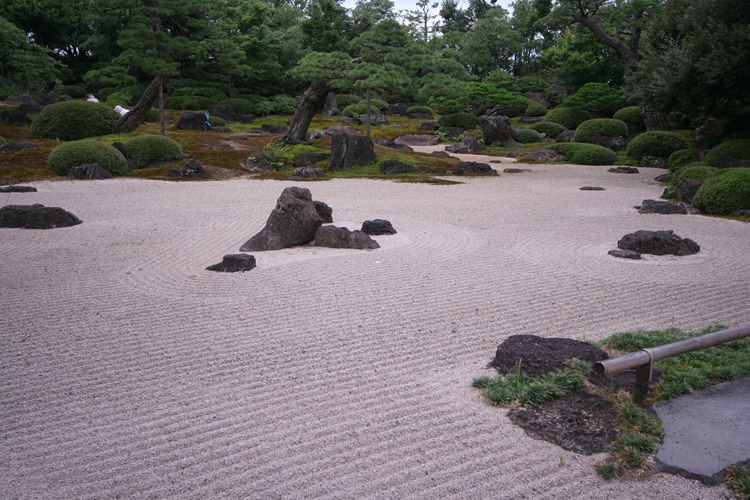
pixel 298 220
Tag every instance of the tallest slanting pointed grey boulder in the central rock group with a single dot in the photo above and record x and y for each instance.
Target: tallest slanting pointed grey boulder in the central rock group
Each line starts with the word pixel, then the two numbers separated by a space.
pixel 293 222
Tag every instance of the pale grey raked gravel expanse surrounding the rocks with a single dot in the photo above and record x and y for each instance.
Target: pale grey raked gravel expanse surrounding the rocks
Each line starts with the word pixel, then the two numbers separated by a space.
pixel 129 371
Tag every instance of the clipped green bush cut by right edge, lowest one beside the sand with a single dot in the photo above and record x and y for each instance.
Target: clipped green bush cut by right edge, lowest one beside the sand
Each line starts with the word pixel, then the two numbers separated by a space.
pixel 725 192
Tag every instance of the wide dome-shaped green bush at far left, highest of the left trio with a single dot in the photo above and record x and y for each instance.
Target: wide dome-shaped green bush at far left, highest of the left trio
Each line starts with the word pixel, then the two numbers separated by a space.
pixel 73 120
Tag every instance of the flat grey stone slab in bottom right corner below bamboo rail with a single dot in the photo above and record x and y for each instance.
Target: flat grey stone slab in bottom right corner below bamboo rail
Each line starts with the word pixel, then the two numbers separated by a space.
pixel 706 431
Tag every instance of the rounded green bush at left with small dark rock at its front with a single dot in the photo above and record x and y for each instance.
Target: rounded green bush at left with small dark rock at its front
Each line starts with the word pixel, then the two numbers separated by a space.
pixel 74 153
